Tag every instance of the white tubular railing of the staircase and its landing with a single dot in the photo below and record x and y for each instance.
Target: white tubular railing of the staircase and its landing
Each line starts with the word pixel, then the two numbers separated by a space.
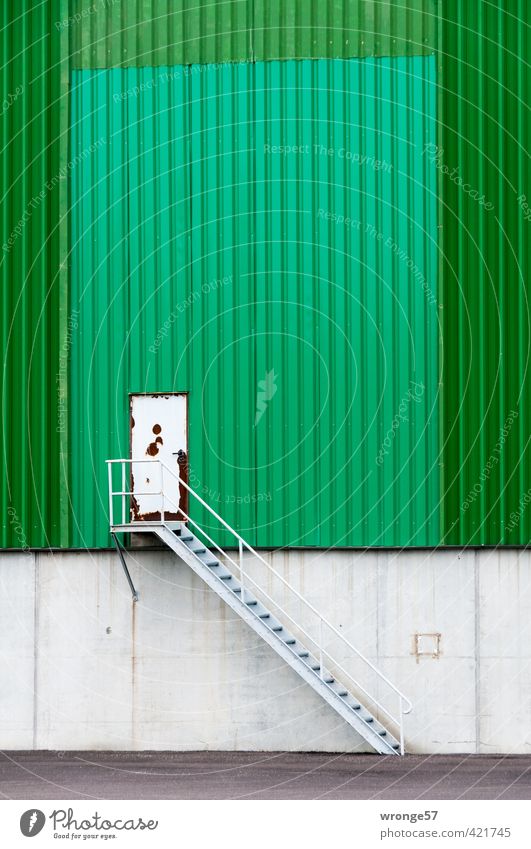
pixel 247 581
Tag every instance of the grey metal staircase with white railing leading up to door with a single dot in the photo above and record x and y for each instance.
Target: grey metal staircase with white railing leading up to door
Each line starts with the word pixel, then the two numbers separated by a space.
pixel 308 650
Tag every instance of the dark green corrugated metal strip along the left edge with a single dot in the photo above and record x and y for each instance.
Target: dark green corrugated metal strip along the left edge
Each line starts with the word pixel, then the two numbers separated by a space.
pixel 32 280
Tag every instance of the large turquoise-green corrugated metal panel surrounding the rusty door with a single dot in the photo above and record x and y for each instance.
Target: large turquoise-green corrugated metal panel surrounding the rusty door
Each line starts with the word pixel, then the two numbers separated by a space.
pixel 182 190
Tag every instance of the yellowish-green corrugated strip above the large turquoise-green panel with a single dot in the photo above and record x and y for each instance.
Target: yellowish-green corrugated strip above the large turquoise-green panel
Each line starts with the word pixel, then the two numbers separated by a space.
pixel 123 33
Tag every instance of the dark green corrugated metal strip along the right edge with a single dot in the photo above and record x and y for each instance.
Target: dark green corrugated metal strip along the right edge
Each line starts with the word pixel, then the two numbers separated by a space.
pixel 487 138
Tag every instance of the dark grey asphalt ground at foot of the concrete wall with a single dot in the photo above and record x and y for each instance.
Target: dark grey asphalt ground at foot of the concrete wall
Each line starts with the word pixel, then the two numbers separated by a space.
pixel 260 775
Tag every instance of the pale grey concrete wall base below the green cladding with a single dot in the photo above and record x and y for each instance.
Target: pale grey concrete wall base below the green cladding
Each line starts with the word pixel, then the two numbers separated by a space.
pixel 83 667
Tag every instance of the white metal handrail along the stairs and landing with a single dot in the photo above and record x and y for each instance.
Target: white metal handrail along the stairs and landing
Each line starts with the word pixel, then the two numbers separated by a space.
pixel 405 705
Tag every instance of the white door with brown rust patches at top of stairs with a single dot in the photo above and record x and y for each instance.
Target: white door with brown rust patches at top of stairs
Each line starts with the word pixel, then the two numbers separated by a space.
pixel 159 430
